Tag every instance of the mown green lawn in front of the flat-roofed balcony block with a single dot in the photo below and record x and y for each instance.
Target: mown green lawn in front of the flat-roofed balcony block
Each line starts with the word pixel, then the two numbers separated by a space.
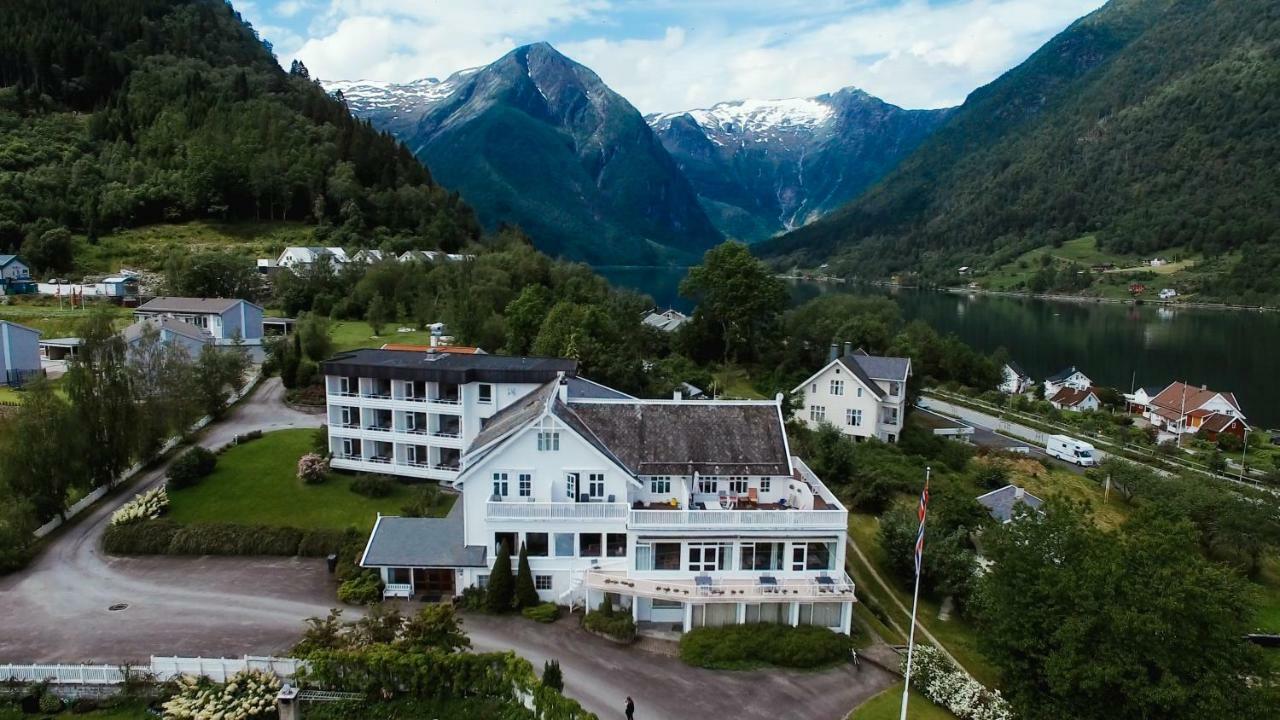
pixel 257 484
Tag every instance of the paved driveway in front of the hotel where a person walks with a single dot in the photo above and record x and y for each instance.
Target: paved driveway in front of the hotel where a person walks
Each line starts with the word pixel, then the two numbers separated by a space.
pixel 601 676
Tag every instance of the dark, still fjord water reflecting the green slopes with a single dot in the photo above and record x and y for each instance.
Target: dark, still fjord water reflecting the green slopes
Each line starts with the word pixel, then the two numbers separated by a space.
pixel 1114 344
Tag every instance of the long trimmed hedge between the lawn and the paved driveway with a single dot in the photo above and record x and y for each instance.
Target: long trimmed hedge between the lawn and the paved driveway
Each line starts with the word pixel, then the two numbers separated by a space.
pixel 166 537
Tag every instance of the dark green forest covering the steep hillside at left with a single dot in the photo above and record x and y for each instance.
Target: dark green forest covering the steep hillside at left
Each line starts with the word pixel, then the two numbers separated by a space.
pixel 122 113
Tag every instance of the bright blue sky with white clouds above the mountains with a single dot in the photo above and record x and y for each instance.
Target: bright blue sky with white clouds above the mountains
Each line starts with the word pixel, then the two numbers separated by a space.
pixel 668 56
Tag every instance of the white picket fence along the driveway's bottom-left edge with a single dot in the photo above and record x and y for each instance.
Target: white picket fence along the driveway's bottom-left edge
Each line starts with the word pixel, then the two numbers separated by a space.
pixel 218 669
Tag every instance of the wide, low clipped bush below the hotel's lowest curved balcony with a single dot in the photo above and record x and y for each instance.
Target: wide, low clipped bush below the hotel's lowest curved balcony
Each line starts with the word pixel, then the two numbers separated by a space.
pixel 740 648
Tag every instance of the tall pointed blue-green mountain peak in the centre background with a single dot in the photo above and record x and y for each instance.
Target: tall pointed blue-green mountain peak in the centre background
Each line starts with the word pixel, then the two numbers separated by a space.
pixel 540 142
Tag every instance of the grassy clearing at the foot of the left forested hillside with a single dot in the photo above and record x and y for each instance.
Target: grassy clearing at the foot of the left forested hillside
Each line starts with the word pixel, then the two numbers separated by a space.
pixel 148 248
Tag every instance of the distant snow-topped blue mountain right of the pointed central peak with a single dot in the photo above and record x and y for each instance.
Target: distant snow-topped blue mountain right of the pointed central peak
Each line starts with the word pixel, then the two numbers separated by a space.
pixel 762 167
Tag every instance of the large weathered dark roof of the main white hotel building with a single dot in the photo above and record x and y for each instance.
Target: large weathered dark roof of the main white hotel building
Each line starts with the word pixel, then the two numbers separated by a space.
pixel 678 439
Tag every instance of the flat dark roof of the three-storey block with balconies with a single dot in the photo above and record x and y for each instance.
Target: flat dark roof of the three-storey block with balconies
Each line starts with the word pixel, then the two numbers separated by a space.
pixel 447 367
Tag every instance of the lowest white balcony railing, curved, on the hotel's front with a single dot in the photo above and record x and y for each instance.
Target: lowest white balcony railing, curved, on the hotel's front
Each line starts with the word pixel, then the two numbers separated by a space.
pixel 838 589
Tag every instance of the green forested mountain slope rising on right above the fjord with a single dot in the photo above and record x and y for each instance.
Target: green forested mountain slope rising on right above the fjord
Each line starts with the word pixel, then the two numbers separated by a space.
pixel 1148 124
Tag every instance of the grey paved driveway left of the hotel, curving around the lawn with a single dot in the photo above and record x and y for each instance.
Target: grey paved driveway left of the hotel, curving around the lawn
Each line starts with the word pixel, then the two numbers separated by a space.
pixel 57 610
